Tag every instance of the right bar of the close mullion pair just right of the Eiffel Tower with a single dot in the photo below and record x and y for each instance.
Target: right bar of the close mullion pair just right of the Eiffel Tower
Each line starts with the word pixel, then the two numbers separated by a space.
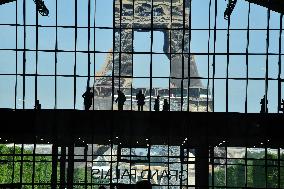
pixel 214 57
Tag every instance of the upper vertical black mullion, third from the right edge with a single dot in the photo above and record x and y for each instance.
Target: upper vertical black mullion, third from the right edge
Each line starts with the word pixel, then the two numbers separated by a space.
pixel 247 59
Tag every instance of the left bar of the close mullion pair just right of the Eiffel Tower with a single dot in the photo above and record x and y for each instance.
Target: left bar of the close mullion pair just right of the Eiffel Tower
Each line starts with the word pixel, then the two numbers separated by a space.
pixel 208 50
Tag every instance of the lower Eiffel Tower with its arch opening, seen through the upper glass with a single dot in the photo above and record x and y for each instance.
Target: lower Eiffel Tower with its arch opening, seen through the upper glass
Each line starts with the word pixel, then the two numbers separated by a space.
pixel 172 18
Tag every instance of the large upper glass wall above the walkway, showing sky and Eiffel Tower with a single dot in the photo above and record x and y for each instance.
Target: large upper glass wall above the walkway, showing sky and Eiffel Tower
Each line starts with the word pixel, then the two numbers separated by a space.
pixel 184 51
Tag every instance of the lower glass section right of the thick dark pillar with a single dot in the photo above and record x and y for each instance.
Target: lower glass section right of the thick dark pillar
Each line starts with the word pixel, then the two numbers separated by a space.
pixel 241 167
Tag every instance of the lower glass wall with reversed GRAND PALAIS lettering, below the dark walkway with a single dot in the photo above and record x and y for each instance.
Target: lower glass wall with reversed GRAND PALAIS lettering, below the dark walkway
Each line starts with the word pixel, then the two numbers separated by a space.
pixel 166 166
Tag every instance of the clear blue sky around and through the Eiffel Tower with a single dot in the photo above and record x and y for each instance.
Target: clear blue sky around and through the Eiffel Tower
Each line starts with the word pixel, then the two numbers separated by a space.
pixel 103 42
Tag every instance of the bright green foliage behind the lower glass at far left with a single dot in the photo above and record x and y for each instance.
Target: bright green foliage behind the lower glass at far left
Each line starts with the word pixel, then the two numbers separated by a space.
pixel 11 163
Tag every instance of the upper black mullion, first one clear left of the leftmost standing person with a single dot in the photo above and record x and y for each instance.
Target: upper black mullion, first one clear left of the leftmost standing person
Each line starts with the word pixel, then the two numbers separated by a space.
pixel 75 65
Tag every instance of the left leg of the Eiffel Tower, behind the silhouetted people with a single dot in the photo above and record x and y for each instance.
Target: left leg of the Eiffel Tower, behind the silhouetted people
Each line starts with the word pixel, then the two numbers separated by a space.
pixel 118 64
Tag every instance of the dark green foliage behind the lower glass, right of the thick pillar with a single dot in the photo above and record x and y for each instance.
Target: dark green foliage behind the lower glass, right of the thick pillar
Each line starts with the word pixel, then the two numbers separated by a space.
pixel 256 173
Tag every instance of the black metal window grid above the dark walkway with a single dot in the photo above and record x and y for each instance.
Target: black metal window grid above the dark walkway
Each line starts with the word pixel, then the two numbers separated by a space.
pixel 21 73
